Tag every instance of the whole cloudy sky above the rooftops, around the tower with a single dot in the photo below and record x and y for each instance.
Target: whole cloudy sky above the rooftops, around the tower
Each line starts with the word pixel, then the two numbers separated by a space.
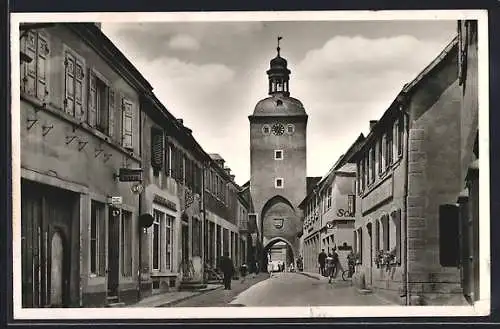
pixel 211 74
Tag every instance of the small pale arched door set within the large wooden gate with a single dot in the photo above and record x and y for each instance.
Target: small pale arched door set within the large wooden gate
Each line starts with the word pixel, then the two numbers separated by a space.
pixel 57 269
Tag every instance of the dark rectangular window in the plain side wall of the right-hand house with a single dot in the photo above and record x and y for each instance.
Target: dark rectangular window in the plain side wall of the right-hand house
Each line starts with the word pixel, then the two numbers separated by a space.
pixel 449 235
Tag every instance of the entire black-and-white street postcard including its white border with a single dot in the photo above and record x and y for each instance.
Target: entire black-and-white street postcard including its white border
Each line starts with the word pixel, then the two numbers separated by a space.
pixel 250 164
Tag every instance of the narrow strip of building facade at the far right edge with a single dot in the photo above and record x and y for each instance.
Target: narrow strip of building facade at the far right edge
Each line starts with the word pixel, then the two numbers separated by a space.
pixel 468 202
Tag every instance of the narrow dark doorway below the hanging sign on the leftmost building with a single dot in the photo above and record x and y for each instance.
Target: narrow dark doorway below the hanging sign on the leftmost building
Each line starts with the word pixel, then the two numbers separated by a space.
pixel 113 270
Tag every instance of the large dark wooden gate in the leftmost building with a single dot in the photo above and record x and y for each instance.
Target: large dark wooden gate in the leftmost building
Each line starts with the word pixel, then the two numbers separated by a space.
pixel 46 221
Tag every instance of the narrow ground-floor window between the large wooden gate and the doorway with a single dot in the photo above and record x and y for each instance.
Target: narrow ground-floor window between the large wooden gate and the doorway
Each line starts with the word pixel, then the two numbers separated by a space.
pixel 97 239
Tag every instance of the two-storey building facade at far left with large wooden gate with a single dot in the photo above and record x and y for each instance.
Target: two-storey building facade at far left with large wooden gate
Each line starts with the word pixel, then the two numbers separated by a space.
pixel 80 113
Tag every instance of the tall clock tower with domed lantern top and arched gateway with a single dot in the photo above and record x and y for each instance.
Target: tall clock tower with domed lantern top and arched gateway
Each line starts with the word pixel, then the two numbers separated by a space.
pixel 278 129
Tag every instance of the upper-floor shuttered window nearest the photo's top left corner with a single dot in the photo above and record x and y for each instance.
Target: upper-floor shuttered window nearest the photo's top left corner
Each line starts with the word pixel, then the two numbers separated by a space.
pixel 34 74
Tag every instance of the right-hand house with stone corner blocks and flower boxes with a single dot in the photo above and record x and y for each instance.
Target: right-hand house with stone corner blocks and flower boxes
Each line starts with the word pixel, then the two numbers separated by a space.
pixel 409 170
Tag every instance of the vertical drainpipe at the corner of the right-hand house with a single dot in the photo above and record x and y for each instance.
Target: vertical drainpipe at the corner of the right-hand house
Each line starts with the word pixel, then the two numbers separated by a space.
pixel 406 123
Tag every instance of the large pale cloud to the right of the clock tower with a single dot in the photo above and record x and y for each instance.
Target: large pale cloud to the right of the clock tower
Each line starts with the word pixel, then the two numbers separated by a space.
pixel 349 81
